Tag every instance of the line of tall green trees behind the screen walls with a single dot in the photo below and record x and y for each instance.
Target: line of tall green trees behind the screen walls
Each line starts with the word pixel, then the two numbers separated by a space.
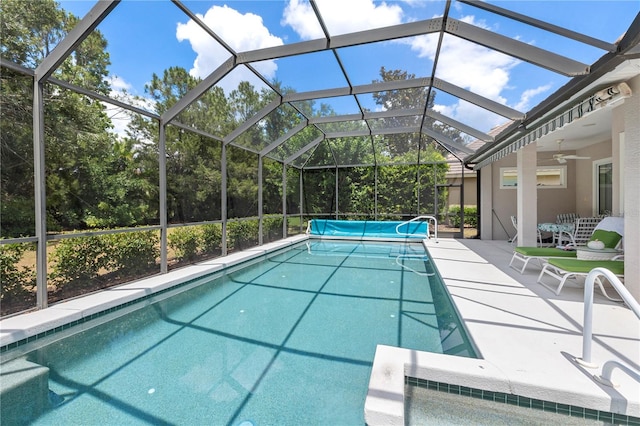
pixel 96 178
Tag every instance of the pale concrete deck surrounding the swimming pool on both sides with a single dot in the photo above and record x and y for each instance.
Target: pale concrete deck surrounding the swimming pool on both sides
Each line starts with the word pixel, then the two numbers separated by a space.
pixel 526 336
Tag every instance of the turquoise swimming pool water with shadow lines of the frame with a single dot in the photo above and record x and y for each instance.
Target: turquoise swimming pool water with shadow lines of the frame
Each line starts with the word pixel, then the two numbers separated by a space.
pixel 288 340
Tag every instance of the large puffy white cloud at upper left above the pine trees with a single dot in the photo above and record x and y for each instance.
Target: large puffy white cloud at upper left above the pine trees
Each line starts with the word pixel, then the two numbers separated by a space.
pixel 242 32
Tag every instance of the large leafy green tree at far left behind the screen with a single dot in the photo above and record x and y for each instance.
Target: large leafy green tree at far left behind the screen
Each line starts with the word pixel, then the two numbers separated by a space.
pixel 76 133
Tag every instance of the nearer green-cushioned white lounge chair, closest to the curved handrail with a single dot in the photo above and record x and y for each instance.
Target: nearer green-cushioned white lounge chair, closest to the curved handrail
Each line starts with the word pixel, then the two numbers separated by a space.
pixel 564 269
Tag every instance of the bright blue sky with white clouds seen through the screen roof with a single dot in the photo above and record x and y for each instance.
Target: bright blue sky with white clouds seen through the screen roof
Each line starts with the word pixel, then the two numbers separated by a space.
pixel 149 36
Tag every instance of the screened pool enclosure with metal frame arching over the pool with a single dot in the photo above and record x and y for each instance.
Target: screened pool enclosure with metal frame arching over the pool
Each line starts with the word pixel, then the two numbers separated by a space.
pixel 141 136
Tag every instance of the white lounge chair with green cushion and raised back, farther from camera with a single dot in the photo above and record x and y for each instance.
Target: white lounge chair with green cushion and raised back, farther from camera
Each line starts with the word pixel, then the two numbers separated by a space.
pixel 610 233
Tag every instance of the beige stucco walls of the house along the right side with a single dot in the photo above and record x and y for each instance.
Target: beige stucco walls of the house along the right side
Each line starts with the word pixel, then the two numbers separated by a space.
pixel 622 146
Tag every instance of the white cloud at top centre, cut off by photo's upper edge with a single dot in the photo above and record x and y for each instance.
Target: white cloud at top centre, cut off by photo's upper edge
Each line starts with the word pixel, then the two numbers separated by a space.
pixel 340 16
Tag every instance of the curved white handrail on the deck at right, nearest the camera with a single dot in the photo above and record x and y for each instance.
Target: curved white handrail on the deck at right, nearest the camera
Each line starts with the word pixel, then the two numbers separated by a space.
pixel 587 332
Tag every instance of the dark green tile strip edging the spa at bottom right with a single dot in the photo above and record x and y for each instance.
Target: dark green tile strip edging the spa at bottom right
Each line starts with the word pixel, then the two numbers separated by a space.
pixel 525 402
